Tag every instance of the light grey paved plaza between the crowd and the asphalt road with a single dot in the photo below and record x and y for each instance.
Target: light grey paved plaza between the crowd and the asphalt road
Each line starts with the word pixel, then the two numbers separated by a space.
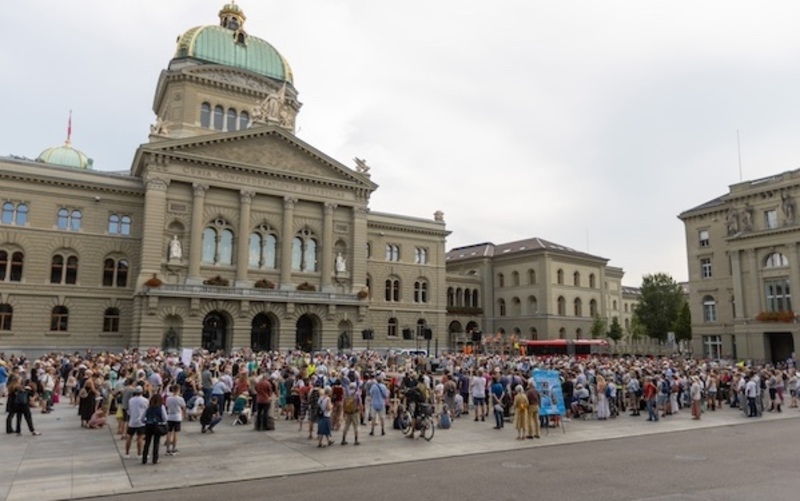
pixel 69 462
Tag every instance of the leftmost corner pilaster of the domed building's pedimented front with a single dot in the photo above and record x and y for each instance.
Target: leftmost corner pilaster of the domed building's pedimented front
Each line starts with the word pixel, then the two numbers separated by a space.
pixel 153 249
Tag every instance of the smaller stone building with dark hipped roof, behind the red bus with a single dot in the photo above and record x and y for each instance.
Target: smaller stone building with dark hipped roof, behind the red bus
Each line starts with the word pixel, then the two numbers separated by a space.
pixel 531 289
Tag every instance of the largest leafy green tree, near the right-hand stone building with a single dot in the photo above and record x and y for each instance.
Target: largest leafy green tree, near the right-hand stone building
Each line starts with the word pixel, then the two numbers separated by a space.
pixel 660 301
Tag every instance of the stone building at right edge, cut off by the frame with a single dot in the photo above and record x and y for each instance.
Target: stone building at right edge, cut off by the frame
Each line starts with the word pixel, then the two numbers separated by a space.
pixel 743 264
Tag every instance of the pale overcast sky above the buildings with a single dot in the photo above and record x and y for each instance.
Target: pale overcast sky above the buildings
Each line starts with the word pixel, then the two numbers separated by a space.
pixel 591 124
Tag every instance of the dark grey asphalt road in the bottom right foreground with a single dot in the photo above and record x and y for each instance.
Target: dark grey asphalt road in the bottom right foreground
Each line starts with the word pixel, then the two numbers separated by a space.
pixel 751 462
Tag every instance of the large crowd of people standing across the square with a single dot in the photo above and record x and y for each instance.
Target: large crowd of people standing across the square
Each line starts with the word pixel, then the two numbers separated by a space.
pixel 150 393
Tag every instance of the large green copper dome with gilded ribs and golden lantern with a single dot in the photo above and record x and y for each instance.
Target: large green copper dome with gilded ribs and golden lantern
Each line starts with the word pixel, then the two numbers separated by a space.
pixel 229 45
